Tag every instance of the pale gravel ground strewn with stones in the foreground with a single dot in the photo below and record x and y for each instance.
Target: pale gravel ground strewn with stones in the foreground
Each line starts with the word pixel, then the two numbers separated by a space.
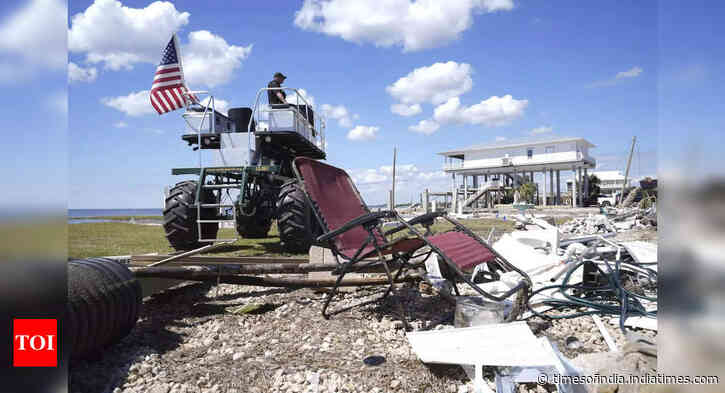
pixel 189 339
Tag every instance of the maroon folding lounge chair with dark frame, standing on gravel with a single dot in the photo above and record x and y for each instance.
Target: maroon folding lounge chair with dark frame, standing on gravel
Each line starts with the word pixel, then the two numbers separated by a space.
pixel 353 234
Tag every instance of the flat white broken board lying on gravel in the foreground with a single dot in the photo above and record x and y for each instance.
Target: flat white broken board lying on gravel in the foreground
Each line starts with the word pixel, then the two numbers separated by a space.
pixel 507 344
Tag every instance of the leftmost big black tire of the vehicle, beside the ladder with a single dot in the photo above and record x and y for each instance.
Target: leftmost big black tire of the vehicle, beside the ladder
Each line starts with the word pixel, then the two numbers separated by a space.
pixel 180 217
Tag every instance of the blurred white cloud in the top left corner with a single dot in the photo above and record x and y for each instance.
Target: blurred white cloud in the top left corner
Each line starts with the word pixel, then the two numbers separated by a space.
pixel 33 40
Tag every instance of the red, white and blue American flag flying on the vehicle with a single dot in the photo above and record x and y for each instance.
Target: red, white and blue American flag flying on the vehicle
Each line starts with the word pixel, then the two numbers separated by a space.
pixel 168 90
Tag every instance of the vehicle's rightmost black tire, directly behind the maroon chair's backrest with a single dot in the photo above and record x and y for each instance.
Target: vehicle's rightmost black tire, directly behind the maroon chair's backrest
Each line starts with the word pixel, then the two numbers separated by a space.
pixel 296 222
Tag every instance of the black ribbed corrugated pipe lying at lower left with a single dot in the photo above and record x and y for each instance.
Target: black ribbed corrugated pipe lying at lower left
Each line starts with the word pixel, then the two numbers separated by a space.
pixel 104 301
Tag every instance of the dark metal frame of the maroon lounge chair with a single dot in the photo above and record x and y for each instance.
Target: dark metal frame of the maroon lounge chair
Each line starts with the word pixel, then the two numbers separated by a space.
pixel 371 221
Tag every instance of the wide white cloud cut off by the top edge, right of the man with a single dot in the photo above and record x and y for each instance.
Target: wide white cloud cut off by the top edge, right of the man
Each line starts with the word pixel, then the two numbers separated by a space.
pixel 414 25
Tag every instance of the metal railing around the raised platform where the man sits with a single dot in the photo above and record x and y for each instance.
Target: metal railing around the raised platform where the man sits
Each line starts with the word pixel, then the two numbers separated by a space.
pixel 264 113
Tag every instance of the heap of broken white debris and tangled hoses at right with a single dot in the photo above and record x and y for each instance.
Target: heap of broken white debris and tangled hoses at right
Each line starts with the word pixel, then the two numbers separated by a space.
pixel 586 289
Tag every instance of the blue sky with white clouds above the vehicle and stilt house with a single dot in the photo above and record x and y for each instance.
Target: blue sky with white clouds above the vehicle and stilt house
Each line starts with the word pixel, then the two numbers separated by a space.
pixel 602 71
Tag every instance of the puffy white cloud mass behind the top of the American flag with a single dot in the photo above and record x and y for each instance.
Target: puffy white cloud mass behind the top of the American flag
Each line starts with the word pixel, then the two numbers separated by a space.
pixel 119 37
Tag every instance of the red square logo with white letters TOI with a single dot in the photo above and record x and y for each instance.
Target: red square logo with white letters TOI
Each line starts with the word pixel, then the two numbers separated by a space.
pixel 35 343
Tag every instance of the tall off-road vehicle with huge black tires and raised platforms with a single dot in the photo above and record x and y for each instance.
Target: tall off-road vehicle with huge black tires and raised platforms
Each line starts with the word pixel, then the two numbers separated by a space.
pixel 250 182
